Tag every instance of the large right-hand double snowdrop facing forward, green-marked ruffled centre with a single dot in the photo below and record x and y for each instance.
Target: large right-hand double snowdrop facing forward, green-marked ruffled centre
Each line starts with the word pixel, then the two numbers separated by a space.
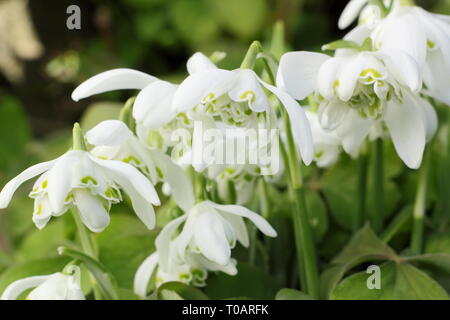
pixel 358 91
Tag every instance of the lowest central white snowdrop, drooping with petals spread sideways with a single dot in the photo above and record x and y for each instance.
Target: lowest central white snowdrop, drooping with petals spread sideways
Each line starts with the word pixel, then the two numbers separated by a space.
pixel 211 230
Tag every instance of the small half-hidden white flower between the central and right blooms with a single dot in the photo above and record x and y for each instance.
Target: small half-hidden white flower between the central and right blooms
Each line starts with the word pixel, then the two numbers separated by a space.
pixel 327 145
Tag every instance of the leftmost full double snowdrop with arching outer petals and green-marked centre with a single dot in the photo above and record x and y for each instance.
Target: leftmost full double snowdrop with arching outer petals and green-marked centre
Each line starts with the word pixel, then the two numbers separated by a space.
pixel 78 179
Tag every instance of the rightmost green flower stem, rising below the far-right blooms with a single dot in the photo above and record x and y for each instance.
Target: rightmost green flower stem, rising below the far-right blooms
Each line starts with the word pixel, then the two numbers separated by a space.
pixel 420 205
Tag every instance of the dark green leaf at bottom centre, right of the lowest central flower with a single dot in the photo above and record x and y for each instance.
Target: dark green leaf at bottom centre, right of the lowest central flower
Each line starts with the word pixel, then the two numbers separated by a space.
pixel 250 282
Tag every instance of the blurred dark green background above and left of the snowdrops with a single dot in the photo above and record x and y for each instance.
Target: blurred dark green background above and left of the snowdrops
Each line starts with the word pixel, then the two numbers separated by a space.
pixel 154 36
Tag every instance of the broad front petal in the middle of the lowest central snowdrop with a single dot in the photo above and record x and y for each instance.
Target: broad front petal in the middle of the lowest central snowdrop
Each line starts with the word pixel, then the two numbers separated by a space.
pixel 211 239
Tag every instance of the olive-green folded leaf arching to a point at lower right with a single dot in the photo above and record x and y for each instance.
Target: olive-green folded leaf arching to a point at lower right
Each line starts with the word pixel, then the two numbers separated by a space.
pixel 363 247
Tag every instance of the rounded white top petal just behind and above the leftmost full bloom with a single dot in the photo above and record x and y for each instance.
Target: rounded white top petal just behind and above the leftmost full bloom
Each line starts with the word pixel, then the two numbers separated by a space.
pixel 109 133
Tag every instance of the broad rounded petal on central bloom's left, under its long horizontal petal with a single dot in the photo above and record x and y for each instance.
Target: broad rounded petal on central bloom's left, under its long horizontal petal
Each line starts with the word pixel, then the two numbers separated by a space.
pixel 153 105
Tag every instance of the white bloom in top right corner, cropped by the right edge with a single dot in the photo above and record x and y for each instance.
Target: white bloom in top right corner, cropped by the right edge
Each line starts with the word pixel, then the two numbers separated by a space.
pixel 411 29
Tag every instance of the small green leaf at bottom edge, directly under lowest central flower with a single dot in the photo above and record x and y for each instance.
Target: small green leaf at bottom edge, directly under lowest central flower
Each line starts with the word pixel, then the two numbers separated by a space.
pixel 178 291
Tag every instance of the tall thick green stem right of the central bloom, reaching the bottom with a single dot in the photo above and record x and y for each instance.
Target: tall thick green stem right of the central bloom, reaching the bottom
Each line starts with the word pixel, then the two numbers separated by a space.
pixel 306 252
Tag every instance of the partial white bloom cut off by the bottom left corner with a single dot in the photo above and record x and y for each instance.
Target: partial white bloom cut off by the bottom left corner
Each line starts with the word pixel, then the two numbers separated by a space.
pixel 56 286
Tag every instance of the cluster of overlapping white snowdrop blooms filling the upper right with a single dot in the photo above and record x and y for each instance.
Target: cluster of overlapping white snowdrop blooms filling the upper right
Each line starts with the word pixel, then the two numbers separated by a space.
pixel 373 86
